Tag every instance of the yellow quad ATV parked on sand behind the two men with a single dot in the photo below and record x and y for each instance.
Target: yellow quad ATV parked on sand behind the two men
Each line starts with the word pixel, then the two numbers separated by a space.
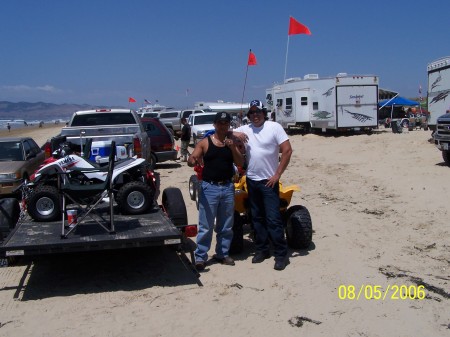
pixel 297 220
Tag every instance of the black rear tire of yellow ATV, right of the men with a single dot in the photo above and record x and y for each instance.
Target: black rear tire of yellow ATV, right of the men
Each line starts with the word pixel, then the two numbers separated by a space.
pixel 298 227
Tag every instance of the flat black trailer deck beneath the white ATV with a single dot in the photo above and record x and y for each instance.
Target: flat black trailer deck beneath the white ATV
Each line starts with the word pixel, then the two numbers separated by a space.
pixel 37 238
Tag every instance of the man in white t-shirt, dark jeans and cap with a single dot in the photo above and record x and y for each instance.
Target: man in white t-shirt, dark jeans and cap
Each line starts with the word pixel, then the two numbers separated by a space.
pixel 265 141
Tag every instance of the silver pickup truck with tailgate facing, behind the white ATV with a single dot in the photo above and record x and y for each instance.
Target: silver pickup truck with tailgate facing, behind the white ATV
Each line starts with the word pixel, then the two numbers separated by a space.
pixel 104 125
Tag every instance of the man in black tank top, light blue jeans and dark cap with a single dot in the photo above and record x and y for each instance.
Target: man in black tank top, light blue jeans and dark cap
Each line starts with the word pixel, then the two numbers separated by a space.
pixel 216 154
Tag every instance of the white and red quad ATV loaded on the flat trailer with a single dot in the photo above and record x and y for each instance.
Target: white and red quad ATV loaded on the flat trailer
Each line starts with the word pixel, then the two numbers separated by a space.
pixel 135 186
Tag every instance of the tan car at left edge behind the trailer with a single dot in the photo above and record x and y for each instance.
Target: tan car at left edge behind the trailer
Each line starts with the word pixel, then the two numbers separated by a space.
pixel 19 158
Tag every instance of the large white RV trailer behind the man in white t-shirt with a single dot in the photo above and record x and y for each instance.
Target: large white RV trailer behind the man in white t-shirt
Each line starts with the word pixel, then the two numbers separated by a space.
pixel 342 102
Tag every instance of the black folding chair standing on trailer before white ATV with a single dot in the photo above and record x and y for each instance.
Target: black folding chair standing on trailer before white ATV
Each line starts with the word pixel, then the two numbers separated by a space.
pixel 87 197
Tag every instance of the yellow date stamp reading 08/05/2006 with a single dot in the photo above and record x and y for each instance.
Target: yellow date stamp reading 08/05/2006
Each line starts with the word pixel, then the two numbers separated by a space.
pixel 377 292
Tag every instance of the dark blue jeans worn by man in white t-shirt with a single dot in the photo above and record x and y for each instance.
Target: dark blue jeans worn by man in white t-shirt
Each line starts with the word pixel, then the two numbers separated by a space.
pixel 266 218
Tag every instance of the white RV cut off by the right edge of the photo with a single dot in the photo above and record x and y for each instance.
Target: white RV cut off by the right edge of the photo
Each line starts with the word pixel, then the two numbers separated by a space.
pixel 438 89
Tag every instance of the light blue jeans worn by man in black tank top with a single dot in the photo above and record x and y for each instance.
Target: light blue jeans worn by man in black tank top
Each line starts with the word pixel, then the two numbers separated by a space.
pixel 216 203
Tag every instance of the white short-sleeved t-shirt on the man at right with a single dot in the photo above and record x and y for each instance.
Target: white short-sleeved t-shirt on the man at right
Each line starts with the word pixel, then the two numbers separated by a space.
pixel 263 148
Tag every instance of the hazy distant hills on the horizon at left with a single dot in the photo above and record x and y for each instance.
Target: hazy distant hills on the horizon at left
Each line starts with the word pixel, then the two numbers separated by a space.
pixel 41 110
